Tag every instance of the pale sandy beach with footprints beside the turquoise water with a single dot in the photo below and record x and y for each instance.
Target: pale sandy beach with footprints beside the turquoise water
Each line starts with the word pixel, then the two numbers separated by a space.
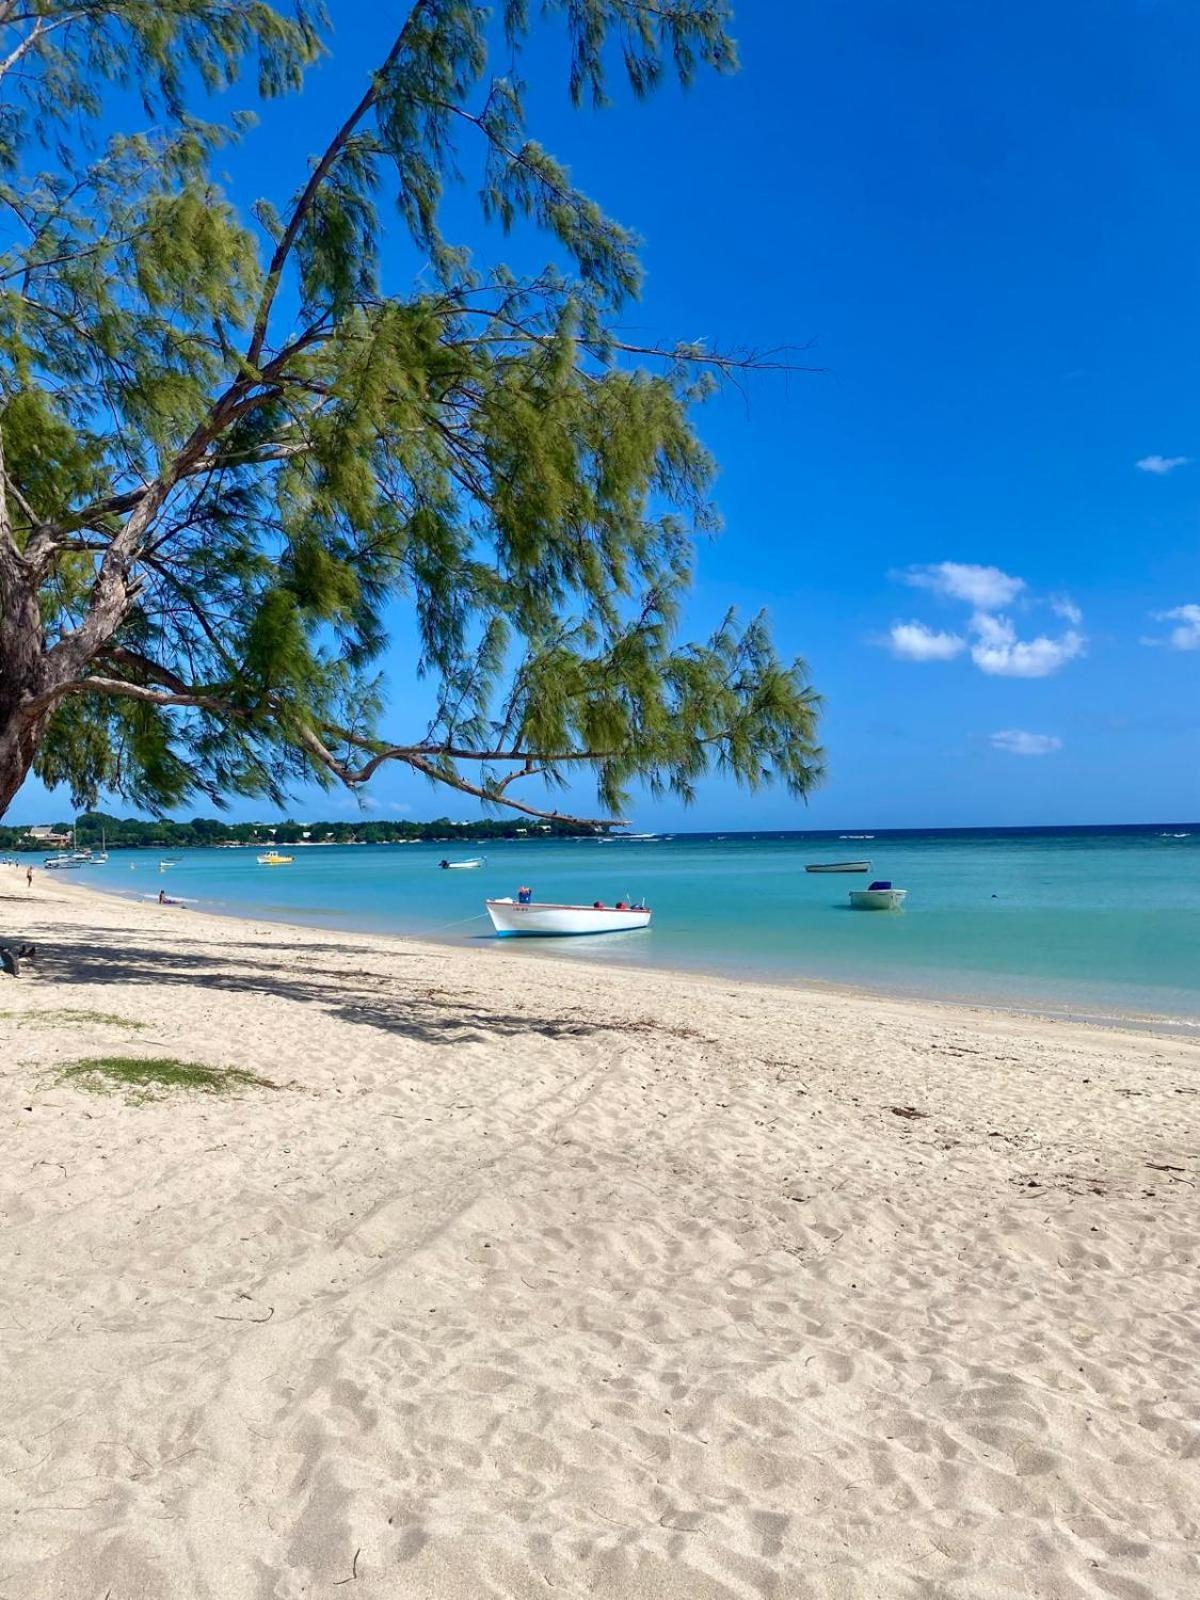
pixel 534 1279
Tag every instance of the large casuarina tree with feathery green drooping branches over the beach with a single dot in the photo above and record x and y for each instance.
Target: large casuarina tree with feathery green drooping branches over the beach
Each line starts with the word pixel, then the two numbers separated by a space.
pixel 236 439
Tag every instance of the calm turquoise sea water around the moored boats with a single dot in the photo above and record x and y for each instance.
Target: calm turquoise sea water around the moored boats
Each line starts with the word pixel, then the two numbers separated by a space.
pixel 1098 921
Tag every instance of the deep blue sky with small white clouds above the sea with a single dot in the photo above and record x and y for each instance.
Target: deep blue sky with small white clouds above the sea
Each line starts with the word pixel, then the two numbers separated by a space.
pixel 982 223
